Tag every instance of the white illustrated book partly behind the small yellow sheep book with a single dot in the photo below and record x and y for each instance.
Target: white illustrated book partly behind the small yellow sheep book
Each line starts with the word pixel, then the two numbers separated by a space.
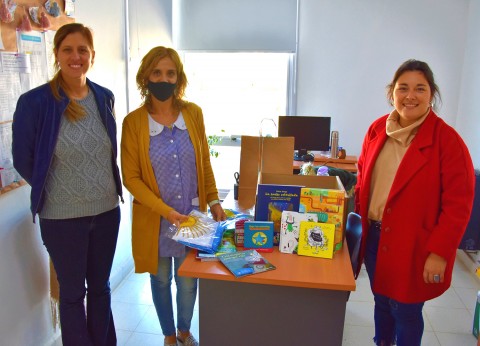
pixel 290 229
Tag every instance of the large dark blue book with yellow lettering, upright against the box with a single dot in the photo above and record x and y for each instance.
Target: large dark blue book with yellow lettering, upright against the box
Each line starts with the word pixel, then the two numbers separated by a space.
pixel 272 199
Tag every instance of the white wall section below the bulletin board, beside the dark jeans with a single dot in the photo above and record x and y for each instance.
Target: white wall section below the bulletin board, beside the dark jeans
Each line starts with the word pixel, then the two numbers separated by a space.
pixel 24 289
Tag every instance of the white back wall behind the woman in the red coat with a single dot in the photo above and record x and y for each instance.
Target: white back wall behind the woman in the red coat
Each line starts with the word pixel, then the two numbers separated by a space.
pixel 349 51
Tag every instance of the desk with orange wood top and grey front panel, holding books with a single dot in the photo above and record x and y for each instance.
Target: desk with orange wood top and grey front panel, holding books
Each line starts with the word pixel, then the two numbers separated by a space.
pixel 302 302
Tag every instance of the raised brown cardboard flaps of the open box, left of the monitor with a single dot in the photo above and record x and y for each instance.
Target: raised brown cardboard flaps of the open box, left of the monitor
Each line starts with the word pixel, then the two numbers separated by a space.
pixel 262 154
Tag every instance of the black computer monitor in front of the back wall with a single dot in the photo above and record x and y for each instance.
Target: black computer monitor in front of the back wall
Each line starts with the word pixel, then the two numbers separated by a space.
pixel 310 133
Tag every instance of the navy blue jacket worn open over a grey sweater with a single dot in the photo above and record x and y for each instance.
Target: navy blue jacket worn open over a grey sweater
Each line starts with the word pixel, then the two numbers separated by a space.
pixel 36 123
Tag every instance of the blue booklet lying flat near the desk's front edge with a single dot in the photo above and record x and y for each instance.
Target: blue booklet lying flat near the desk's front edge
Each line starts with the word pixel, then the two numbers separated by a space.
pixel 245 262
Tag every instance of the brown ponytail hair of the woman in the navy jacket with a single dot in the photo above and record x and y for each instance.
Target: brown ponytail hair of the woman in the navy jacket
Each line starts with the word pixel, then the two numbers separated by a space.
pixel 74 110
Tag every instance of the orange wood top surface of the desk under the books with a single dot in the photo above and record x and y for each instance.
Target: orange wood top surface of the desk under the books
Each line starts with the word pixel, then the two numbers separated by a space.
pixel 292 270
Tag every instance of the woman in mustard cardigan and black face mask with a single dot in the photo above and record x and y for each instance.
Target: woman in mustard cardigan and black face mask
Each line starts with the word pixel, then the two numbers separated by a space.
pixel 166 167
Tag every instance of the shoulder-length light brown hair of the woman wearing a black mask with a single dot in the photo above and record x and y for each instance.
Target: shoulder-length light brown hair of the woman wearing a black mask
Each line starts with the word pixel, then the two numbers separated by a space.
pixel 149 61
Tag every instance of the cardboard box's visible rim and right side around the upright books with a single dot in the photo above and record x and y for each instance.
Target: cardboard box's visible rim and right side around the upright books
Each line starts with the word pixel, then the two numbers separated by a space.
pixel 324 182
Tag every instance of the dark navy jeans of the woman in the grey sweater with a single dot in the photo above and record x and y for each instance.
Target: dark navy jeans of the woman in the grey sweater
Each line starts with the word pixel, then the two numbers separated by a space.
pixel 82 249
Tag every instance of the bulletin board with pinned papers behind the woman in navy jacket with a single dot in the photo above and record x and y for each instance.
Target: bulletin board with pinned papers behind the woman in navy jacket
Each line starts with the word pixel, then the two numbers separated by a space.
pixel 27 28
